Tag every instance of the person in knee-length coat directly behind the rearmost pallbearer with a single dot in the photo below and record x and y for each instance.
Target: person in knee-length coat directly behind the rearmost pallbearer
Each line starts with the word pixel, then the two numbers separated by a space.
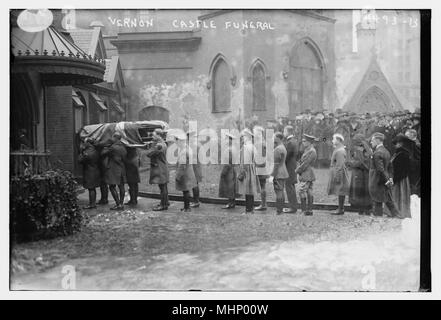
pixel 185 177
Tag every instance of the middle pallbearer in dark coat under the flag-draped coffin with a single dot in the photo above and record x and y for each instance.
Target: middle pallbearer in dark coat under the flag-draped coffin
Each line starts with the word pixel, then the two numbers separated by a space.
pixel 115 173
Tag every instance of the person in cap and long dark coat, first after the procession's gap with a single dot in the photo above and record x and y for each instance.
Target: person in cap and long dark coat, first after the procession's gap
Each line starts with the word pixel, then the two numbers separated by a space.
pixel 228 184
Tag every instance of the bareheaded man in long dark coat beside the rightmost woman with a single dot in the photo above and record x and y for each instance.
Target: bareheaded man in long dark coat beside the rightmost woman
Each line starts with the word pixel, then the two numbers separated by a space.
pixel 380 180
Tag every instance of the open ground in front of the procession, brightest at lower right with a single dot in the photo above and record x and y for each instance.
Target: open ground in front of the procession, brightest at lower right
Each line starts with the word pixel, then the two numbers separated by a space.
pixel 210 249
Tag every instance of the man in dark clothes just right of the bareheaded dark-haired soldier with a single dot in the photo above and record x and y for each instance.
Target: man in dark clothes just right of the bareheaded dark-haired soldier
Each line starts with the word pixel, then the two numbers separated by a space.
pixel 291 146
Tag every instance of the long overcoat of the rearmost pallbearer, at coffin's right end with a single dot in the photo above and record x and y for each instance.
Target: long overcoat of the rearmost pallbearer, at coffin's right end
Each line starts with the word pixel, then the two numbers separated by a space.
pixel 159 173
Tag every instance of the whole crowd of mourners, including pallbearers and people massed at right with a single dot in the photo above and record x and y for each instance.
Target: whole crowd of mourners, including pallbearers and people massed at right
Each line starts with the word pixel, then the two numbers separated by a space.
pixel 381 150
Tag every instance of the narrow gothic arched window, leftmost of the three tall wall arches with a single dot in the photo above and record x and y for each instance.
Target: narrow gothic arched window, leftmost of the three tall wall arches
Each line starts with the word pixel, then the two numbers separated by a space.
pixel 221 90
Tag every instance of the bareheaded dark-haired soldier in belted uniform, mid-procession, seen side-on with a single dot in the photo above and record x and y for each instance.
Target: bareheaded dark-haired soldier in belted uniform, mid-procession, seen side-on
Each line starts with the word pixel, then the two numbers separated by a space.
pixel 280 173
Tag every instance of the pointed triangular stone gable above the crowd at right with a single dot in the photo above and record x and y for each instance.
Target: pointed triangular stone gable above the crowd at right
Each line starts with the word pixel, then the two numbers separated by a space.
pixel 373 82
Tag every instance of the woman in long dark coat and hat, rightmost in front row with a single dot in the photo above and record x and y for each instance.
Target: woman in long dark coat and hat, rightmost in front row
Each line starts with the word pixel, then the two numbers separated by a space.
pixel 401 166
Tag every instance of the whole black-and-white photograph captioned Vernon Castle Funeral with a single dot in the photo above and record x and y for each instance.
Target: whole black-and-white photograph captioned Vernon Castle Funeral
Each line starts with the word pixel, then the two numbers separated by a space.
pixel 219 150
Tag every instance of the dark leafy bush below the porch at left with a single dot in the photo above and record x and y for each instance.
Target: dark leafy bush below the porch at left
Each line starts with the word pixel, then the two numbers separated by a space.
pixel 44 206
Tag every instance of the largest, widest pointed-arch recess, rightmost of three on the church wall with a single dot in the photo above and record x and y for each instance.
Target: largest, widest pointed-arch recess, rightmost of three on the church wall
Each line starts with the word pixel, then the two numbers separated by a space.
pixel 306 77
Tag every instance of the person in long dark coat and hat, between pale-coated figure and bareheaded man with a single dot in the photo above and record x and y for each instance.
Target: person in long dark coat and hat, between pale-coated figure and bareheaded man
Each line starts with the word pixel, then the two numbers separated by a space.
pixel 360 154
